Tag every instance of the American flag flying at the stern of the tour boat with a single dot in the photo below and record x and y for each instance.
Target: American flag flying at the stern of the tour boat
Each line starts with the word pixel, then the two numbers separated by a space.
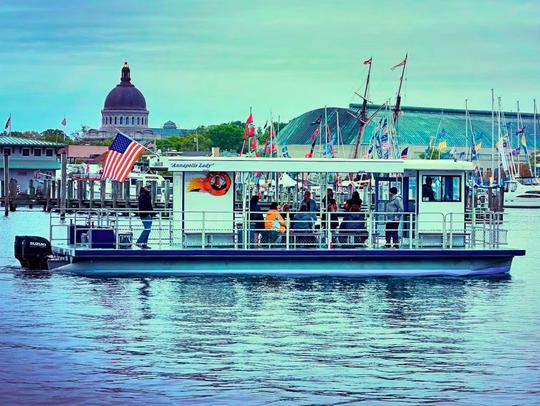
pixel 121 156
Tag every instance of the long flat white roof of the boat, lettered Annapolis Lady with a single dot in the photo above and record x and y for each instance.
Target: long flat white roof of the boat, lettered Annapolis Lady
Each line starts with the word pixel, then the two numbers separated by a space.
pixel 316 165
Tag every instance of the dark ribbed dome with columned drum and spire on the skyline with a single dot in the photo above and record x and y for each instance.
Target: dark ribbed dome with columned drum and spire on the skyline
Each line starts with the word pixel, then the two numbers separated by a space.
pixel 125 106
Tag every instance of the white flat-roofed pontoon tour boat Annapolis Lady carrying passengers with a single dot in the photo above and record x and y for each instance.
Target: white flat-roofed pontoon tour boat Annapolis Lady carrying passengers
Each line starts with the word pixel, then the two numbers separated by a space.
pixel 210 228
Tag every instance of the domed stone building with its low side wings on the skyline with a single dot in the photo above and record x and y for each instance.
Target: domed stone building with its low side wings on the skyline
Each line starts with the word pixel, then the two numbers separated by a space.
pixel 125 110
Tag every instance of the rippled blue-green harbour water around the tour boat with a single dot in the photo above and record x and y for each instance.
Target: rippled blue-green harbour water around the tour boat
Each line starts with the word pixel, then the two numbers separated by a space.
pixel 228 340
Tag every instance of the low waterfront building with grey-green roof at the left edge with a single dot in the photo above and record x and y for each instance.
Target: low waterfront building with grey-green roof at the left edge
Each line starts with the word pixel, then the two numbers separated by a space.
pixel 30 160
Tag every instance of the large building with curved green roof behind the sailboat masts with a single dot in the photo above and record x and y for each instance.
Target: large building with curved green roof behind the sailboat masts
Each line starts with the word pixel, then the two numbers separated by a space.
pixel 416 127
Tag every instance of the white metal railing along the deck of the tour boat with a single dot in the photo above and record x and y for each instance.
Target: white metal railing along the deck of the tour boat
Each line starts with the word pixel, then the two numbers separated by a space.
pixel 120 228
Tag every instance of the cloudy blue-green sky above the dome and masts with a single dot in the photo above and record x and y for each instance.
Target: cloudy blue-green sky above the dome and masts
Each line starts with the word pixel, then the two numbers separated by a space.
pixel 201 62
